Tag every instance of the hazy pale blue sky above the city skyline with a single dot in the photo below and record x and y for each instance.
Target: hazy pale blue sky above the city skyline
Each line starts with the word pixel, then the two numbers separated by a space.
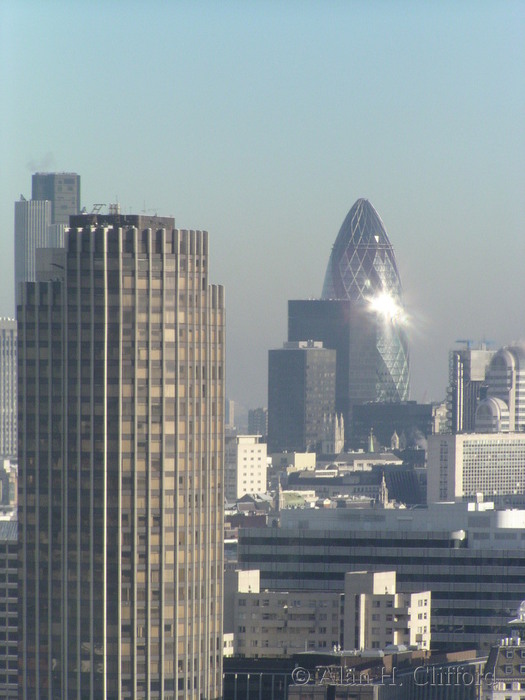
pixel 263 122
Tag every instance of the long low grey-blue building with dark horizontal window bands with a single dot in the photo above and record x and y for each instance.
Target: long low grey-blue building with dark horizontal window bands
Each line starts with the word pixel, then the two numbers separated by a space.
pixel 470 557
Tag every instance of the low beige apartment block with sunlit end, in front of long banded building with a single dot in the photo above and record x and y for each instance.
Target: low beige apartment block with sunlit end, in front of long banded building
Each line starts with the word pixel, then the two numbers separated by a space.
pixel 370 615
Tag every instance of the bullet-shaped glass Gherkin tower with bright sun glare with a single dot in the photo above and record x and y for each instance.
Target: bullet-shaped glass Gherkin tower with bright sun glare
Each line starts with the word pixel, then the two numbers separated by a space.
pixel 362 269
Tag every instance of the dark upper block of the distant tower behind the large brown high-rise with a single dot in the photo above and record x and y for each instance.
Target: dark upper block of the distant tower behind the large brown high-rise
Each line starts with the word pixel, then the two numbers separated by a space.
pixel 62 190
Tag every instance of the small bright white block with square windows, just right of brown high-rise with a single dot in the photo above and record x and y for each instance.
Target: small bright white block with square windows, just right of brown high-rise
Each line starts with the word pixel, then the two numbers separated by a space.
pixel 245 466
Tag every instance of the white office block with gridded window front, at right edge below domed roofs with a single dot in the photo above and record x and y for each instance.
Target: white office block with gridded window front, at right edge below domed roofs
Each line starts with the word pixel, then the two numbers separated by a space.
pixel 462 466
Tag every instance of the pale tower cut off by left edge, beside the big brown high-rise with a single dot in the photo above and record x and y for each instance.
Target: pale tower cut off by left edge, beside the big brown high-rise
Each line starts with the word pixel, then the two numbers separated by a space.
pixel 8 389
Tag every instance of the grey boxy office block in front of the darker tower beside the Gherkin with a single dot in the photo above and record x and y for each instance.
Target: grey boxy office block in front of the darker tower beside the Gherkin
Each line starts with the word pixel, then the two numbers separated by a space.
pixel 301 395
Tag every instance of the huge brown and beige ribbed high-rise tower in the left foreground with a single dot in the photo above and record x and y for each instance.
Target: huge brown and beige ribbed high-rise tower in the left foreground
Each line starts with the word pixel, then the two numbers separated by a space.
pixel 121 356
